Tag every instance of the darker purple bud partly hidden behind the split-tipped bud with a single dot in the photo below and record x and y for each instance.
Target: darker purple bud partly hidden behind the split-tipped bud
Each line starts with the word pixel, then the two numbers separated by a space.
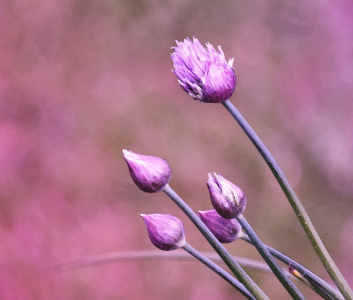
pixel 225 230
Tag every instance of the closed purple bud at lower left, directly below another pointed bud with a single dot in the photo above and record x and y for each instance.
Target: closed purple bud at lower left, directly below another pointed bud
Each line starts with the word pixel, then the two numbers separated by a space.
pixel 166 232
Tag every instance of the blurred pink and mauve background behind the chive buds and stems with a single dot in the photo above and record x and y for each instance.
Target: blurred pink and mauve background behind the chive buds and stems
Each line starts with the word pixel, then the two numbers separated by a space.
pixel 80 80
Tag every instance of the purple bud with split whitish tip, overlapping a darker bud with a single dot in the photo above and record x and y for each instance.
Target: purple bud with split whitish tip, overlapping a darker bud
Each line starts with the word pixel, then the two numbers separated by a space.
pixel 227 199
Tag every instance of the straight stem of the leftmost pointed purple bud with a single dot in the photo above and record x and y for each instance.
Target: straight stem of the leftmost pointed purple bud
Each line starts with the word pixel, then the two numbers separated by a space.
pixel 222 252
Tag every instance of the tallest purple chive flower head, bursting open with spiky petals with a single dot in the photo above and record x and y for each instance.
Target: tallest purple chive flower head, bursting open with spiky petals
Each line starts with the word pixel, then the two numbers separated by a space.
pixel 204 74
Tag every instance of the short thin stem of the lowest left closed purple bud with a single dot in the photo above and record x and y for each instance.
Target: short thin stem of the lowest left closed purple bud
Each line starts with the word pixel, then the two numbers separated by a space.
pixel 218 270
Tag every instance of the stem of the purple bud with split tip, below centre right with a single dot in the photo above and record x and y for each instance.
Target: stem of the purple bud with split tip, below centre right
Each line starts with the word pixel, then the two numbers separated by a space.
pixel 276 269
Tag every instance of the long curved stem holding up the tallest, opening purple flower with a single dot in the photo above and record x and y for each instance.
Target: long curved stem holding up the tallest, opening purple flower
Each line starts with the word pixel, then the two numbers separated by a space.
pixel 298 208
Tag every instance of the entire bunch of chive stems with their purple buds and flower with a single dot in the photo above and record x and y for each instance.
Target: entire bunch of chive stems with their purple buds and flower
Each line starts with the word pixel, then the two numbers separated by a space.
pixel 206 76
